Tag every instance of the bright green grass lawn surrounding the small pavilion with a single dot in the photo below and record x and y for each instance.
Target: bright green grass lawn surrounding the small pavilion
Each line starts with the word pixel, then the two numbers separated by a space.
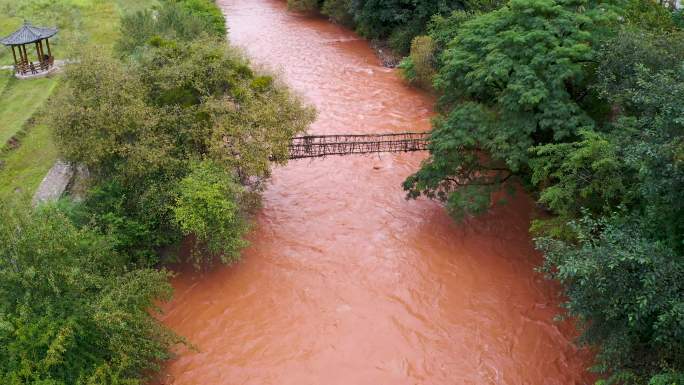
pixel 81 23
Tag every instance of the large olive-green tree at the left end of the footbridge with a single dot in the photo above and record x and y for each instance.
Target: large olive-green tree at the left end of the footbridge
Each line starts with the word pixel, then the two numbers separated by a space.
pixel 138 127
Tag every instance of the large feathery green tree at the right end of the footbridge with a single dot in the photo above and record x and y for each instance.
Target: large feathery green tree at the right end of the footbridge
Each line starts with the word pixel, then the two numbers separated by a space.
pixel 511 79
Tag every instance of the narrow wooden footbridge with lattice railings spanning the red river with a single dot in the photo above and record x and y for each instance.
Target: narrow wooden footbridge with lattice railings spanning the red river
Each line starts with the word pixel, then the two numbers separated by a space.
pixel 317 146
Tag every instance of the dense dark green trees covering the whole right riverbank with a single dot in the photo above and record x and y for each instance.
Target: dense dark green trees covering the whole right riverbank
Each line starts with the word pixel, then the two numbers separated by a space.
pixel 582 104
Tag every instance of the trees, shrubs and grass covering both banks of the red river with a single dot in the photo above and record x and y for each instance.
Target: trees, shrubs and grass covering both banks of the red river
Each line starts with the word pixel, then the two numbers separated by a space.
pixel 579 102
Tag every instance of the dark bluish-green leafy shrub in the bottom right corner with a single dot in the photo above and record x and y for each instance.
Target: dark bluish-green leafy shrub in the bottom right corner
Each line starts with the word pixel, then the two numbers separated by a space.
pixel 627 291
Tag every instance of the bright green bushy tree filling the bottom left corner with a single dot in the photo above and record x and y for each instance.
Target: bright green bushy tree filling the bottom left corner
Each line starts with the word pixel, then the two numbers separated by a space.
pixel 70 310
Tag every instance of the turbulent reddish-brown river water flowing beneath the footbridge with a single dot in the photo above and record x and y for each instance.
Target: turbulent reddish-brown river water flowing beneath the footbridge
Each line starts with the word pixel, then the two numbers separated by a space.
pixel 346 282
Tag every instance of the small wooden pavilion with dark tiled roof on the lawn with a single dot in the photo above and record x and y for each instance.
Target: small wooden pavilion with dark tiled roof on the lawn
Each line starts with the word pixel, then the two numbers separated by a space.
pixel 29 34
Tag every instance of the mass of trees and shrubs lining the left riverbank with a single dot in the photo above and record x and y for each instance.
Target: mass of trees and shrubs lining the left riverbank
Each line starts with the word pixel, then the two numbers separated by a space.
pixel 177 132
